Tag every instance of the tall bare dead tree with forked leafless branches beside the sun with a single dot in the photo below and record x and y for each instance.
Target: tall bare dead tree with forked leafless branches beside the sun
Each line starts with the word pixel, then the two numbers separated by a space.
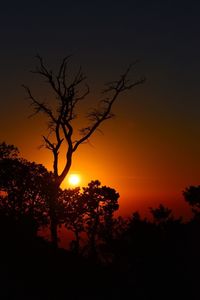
pixel 69 92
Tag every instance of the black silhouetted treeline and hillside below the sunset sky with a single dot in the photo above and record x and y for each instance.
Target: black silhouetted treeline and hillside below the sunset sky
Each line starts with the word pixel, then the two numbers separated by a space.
pixel 109 258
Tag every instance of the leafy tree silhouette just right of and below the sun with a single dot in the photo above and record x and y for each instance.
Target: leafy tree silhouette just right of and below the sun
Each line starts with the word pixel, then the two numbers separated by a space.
pixel 101 203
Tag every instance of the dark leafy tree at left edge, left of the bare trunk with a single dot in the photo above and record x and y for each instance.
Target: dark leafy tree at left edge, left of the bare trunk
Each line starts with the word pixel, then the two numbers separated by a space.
pixel 25 188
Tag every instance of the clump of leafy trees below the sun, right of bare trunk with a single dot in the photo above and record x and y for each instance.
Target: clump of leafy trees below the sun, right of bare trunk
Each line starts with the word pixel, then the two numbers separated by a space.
pixel 90 211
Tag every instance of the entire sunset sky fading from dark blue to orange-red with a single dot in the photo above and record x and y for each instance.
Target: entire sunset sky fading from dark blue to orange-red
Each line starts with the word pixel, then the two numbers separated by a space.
pixel 150 151
